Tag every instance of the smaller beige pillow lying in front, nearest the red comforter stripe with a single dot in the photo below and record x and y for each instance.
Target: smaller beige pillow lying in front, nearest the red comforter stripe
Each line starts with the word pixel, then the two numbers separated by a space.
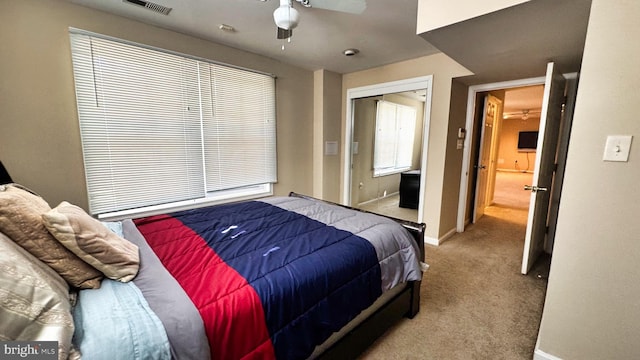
pixel 93 242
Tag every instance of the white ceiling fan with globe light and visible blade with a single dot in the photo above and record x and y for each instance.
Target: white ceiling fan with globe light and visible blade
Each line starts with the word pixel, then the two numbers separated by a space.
pixel 287 17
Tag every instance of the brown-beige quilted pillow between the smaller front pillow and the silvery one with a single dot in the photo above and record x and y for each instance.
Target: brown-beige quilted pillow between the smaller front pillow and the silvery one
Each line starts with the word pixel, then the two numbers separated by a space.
pixel 21 220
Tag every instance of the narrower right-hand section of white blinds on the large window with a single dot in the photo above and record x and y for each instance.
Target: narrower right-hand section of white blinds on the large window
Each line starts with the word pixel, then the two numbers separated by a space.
pixel 239 140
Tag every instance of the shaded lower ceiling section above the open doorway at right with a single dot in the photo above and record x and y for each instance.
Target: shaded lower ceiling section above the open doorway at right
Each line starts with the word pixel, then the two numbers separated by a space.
pixel 517 42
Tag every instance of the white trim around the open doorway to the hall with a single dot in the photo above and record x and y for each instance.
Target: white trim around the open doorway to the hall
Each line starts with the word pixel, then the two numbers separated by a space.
pixel 466 153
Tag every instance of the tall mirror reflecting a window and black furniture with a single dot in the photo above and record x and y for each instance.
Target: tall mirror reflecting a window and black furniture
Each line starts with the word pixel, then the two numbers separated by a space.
pixel 387 144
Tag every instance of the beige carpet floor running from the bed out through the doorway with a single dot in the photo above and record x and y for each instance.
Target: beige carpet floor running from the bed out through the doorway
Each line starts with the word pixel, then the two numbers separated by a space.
pixel 475 303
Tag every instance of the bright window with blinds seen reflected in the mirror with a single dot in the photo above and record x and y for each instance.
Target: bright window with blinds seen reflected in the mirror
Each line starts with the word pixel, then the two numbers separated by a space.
pixel 394 137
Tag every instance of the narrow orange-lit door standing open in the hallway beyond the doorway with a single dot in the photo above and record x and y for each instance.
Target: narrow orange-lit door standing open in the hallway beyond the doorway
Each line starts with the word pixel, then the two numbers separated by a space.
pixel 483 181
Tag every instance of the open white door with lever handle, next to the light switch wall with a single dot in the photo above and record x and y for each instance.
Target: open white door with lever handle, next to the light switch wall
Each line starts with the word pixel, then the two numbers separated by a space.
pixel 544 167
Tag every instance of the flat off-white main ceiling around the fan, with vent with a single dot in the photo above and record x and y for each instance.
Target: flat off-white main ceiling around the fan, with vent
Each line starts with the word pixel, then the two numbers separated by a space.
pixel 384 33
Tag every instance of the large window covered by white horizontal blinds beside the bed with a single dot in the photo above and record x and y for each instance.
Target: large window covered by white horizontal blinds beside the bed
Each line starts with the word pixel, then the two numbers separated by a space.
pixel 163 128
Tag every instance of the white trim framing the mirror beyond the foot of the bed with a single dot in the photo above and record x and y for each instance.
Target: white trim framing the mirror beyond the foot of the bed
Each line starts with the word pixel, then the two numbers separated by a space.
pixel 417 83
